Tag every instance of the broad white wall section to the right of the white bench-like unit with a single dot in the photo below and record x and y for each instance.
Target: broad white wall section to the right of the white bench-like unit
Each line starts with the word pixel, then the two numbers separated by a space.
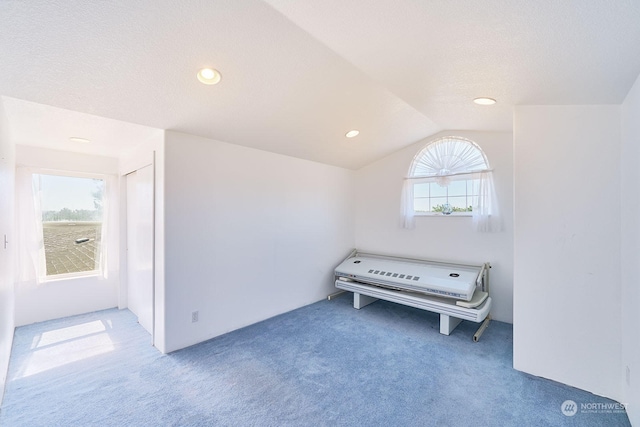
pixel 567 245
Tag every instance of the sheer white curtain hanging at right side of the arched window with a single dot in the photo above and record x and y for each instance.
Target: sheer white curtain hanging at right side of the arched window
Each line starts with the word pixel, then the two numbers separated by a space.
pixel 486 214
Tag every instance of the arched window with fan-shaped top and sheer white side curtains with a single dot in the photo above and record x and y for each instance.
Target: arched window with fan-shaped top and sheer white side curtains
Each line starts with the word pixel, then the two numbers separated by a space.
pixel 451 176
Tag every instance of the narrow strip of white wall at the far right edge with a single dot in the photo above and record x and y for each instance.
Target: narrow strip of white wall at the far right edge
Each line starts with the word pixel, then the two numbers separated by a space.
pixel 630 182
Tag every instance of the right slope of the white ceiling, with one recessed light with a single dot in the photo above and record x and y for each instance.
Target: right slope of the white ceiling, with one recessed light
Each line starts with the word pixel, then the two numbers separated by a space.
pixel 439 55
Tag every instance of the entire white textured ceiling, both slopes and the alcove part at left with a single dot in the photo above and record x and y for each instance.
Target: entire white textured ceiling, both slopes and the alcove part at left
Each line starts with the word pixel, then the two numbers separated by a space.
pixel 297 75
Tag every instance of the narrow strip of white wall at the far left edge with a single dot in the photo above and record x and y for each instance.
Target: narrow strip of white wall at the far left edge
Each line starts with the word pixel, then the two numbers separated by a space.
pixel 7 176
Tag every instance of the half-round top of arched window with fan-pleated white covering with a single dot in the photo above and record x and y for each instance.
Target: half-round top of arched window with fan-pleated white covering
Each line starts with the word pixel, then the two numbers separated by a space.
pixel 448 156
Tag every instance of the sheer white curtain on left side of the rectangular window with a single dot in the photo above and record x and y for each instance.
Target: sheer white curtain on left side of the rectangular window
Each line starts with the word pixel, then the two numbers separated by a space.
pixel 31 263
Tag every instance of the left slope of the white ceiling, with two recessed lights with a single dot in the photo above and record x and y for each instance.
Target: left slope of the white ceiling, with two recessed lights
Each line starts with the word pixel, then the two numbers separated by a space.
pixel 282 90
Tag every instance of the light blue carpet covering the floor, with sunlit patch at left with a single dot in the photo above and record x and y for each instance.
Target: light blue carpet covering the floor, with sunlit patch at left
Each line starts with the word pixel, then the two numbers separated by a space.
pixel 326 364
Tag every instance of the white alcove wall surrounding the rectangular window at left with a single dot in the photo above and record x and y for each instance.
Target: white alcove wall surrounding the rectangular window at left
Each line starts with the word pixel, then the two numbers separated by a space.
pixel 67 297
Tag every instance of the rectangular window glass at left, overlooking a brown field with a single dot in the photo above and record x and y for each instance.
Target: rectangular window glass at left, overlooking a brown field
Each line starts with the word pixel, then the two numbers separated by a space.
pixel 71 223
